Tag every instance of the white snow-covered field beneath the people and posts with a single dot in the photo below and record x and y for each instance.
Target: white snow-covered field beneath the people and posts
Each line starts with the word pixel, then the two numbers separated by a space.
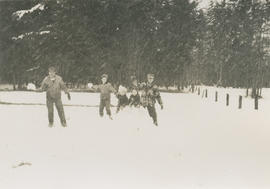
pixel 199 144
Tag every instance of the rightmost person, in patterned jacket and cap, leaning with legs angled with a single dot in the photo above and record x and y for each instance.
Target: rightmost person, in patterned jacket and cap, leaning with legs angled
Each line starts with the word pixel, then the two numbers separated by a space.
pixel 150 94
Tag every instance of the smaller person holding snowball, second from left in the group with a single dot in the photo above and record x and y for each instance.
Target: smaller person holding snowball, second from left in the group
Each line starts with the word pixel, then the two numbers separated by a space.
pixel 105 90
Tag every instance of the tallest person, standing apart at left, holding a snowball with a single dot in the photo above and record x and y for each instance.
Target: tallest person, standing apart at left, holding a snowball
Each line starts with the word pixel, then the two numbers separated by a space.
pixel 53 84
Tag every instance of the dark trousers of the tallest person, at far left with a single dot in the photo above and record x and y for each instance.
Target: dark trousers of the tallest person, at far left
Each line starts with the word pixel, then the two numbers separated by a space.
pixel 59 107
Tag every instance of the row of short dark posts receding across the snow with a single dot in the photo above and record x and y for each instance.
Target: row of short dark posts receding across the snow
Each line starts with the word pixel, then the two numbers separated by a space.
pixel 205 94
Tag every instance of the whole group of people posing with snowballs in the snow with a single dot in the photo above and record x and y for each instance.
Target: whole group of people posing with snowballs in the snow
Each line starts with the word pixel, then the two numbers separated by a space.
pixel 143 94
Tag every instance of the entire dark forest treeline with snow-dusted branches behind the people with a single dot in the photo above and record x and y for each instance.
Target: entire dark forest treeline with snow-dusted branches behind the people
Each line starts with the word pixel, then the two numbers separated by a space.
pixel 226 45
